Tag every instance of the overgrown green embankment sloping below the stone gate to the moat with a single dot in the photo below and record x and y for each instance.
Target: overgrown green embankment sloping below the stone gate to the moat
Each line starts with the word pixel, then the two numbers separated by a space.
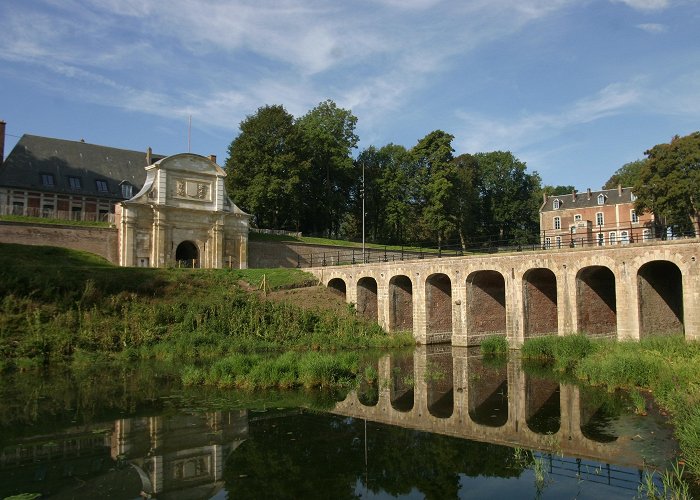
pixel 58 304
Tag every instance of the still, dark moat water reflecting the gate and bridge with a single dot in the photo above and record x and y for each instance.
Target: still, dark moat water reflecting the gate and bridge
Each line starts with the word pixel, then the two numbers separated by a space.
pixel 438 423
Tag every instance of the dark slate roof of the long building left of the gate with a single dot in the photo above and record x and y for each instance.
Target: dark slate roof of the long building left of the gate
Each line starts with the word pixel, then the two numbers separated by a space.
pixel 33 156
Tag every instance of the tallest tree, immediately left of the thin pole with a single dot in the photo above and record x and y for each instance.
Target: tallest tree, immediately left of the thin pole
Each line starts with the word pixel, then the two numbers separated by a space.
pixel 328 134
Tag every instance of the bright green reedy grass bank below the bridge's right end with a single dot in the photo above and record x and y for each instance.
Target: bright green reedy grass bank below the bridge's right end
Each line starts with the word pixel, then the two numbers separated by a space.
pixel 668 367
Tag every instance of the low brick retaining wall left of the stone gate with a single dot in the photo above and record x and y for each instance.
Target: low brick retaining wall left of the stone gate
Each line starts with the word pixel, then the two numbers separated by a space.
pixel 97 240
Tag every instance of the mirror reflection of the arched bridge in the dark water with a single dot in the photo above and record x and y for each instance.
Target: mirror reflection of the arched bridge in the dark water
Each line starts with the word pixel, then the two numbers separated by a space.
pixel 450 392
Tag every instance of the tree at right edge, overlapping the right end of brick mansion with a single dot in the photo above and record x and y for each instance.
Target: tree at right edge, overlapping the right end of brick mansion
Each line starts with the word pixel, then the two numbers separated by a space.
pixel 669 183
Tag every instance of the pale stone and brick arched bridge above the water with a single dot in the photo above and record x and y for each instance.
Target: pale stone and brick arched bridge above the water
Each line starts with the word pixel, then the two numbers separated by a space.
pixel 627 292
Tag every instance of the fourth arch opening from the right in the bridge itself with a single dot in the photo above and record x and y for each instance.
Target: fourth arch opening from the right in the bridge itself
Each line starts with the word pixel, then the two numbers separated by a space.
pixel 486 303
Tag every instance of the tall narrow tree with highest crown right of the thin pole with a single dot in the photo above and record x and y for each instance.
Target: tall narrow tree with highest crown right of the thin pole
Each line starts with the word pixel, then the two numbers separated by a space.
pixel 433 157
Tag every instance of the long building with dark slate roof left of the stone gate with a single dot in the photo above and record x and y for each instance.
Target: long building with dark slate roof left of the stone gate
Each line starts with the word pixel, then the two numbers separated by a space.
pixel 46 177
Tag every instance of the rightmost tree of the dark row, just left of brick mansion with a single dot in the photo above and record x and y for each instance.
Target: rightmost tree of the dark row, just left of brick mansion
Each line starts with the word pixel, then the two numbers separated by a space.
pixel 509 197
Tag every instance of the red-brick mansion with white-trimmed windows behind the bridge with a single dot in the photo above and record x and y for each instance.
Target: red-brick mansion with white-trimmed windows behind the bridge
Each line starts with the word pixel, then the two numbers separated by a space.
pixel 598 218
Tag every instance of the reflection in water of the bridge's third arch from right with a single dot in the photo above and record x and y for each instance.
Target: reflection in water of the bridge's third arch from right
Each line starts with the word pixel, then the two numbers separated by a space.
pixel 542 405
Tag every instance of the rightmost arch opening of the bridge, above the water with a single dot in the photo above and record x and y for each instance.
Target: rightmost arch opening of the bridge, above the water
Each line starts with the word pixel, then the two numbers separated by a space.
pixel 660 292
